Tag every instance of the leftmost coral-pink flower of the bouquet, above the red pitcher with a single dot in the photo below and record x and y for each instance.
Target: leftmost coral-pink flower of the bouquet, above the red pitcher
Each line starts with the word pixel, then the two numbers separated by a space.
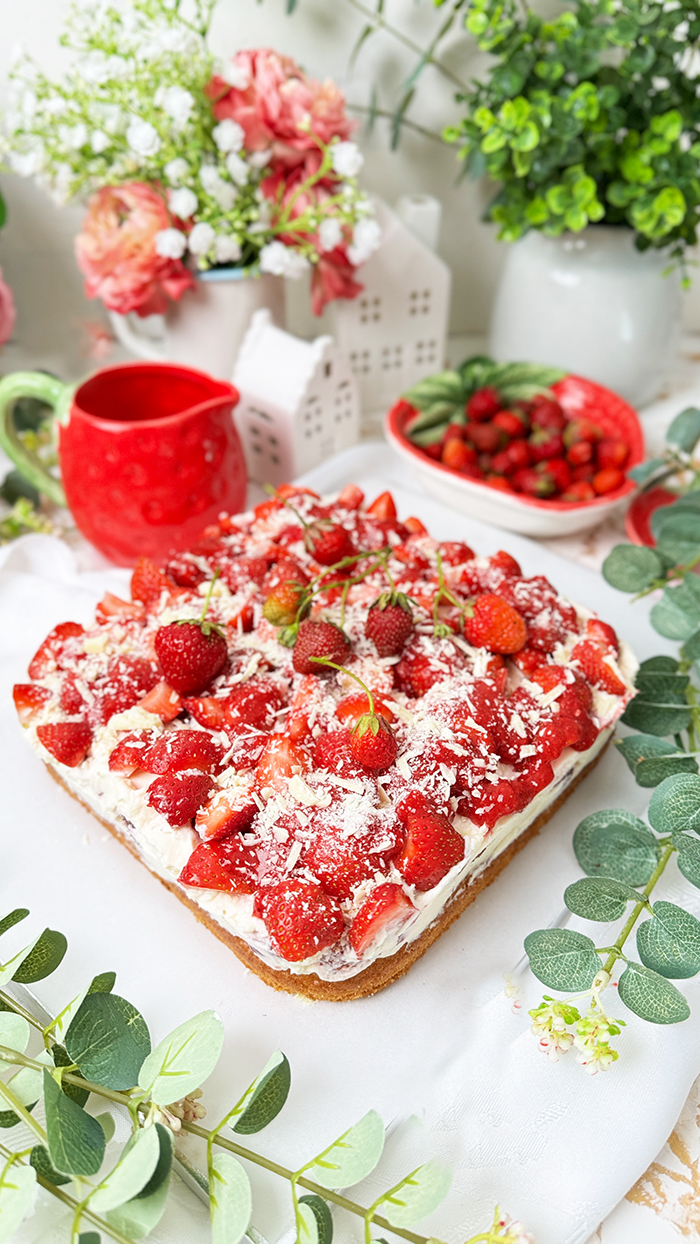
pixel 116 251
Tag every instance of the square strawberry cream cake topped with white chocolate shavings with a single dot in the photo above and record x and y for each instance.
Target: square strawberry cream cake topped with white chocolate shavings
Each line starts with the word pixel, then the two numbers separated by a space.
pixel 325 731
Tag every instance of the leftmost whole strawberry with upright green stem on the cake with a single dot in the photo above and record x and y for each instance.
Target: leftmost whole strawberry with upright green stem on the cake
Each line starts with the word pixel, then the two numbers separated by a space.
pixel 192 652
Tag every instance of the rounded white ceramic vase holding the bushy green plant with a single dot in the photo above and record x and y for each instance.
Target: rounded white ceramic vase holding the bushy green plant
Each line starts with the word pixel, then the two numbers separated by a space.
pixel 594 305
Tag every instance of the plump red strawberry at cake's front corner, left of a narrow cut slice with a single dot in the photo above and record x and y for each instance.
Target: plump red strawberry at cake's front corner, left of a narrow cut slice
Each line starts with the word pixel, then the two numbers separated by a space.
pixel 302 920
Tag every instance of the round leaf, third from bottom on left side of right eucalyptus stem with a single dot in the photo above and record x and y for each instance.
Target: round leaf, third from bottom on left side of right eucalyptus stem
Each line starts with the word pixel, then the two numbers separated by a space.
pixel 616 844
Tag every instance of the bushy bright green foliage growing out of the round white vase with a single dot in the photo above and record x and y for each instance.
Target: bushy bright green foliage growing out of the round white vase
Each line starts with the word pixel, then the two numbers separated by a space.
pixel 587 116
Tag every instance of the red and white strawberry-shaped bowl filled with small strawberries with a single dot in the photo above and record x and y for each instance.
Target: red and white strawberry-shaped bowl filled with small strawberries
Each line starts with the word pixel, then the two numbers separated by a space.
pixel 525 447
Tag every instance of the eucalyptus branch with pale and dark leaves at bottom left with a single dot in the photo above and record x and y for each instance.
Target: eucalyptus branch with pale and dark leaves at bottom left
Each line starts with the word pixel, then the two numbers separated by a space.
pixel 100 1047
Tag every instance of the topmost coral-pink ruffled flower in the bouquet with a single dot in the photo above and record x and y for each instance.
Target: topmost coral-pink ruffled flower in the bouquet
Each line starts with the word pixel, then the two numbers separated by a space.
pixel 273 98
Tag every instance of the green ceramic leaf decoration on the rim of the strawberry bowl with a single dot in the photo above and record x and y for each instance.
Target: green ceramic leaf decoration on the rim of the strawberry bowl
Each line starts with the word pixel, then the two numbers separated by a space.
pixel 441 400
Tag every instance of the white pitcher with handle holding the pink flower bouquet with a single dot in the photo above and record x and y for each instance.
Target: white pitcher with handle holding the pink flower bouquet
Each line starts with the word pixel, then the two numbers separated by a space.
pixel 207 327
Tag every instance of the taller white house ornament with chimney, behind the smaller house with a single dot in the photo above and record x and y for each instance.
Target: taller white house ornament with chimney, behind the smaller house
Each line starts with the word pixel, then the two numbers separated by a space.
pixel 395 333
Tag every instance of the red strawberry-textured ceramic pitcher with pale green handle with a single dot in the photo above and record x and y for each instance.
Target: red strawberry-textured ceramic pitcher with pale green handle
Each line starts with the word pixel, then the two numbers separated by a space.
pixel 150 455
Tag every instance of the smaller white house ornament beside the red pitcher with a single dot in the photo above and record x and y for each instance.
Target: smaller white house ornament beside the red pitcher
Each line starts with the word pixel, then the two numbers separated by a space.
pixel 299 401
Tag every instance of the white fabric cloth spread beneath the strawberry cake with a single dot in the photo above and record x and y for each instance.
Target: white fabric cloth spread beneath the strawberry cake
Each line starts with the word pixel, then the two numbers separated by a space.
pixel 442 1049
